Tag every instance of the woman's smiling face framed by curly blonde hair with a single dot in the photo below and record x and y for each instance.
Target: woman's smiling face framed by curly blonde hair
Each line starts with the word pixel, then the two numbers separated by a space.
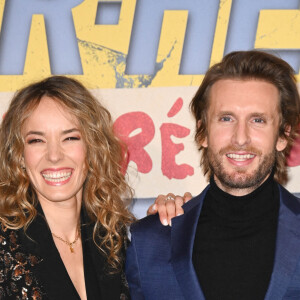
pixel 54 152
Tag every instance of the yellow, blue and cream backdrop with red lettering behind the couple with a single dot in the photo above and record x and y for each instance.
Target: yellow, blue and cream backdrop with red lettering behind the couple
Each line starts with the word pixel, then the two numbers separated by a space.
pixel 144 59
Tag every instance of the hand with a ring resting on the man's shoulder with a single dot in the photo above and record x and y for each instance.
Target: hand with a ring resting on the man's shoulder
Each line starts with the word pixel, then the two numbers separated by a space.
pixel 168 207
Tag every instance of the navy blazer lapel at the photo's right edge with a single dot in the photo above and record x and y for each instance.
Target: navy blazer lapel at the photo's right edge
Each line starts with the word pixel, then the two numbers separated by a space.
pixel 287 252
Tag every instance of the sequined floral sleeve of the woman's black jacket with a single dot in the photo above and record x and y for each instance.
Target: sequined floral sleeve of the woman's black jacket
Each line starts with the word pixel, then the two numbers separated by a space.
pixel 16 278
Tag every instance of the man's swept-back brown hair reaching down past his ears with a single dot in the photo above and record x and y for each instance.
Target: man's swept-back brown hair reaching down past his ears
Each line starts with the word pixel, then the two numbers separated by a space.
pixel 252 65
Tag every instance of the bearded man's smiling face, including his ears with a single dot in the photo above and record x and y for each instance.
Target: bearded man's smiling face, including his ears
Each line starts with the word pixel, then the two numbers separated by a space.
pixel 242 133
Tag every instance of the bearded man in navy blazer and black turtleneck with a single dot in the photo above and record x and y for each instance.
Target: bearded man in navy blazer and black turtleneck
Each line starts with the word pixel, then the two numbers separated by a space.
pixel 240 238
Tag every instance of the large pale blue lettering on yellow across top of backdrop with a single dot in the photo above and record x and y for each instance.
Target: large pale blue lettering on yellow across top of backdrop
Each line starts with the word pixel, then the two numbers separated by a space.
pixel 202 16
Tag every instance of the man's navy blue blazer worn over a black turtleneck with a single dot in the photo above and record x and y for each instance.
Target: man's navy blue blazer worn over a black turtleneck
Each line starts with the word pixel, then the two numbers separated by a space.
pixel 159 259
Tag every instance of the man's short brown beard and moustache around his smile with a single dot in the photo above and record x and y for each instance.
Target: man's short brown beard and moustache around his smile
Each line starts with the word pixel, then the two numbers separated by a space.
pixel 238 178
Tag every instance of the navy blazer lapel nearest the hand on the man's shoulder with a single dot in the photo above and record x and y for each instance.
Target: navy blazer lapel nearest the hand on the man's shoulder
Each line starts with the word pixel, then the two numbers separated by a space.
pixel 182 240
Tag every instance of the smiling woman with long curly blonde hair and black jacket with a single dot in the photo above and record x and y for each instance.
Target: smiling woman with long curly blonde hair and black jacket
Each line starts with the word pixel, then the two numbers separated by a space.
pixel 63 220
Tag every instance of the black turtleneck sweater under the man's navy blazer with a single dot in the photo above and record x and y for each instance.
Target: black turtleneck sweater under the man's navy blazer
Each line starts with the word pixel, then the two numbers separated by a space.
pixel 234 246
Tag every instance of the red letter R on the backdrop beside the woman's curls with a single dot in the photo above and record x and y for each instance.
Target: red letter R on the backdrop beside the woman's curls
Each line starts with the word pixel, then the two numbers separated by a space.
pixel 137 130
